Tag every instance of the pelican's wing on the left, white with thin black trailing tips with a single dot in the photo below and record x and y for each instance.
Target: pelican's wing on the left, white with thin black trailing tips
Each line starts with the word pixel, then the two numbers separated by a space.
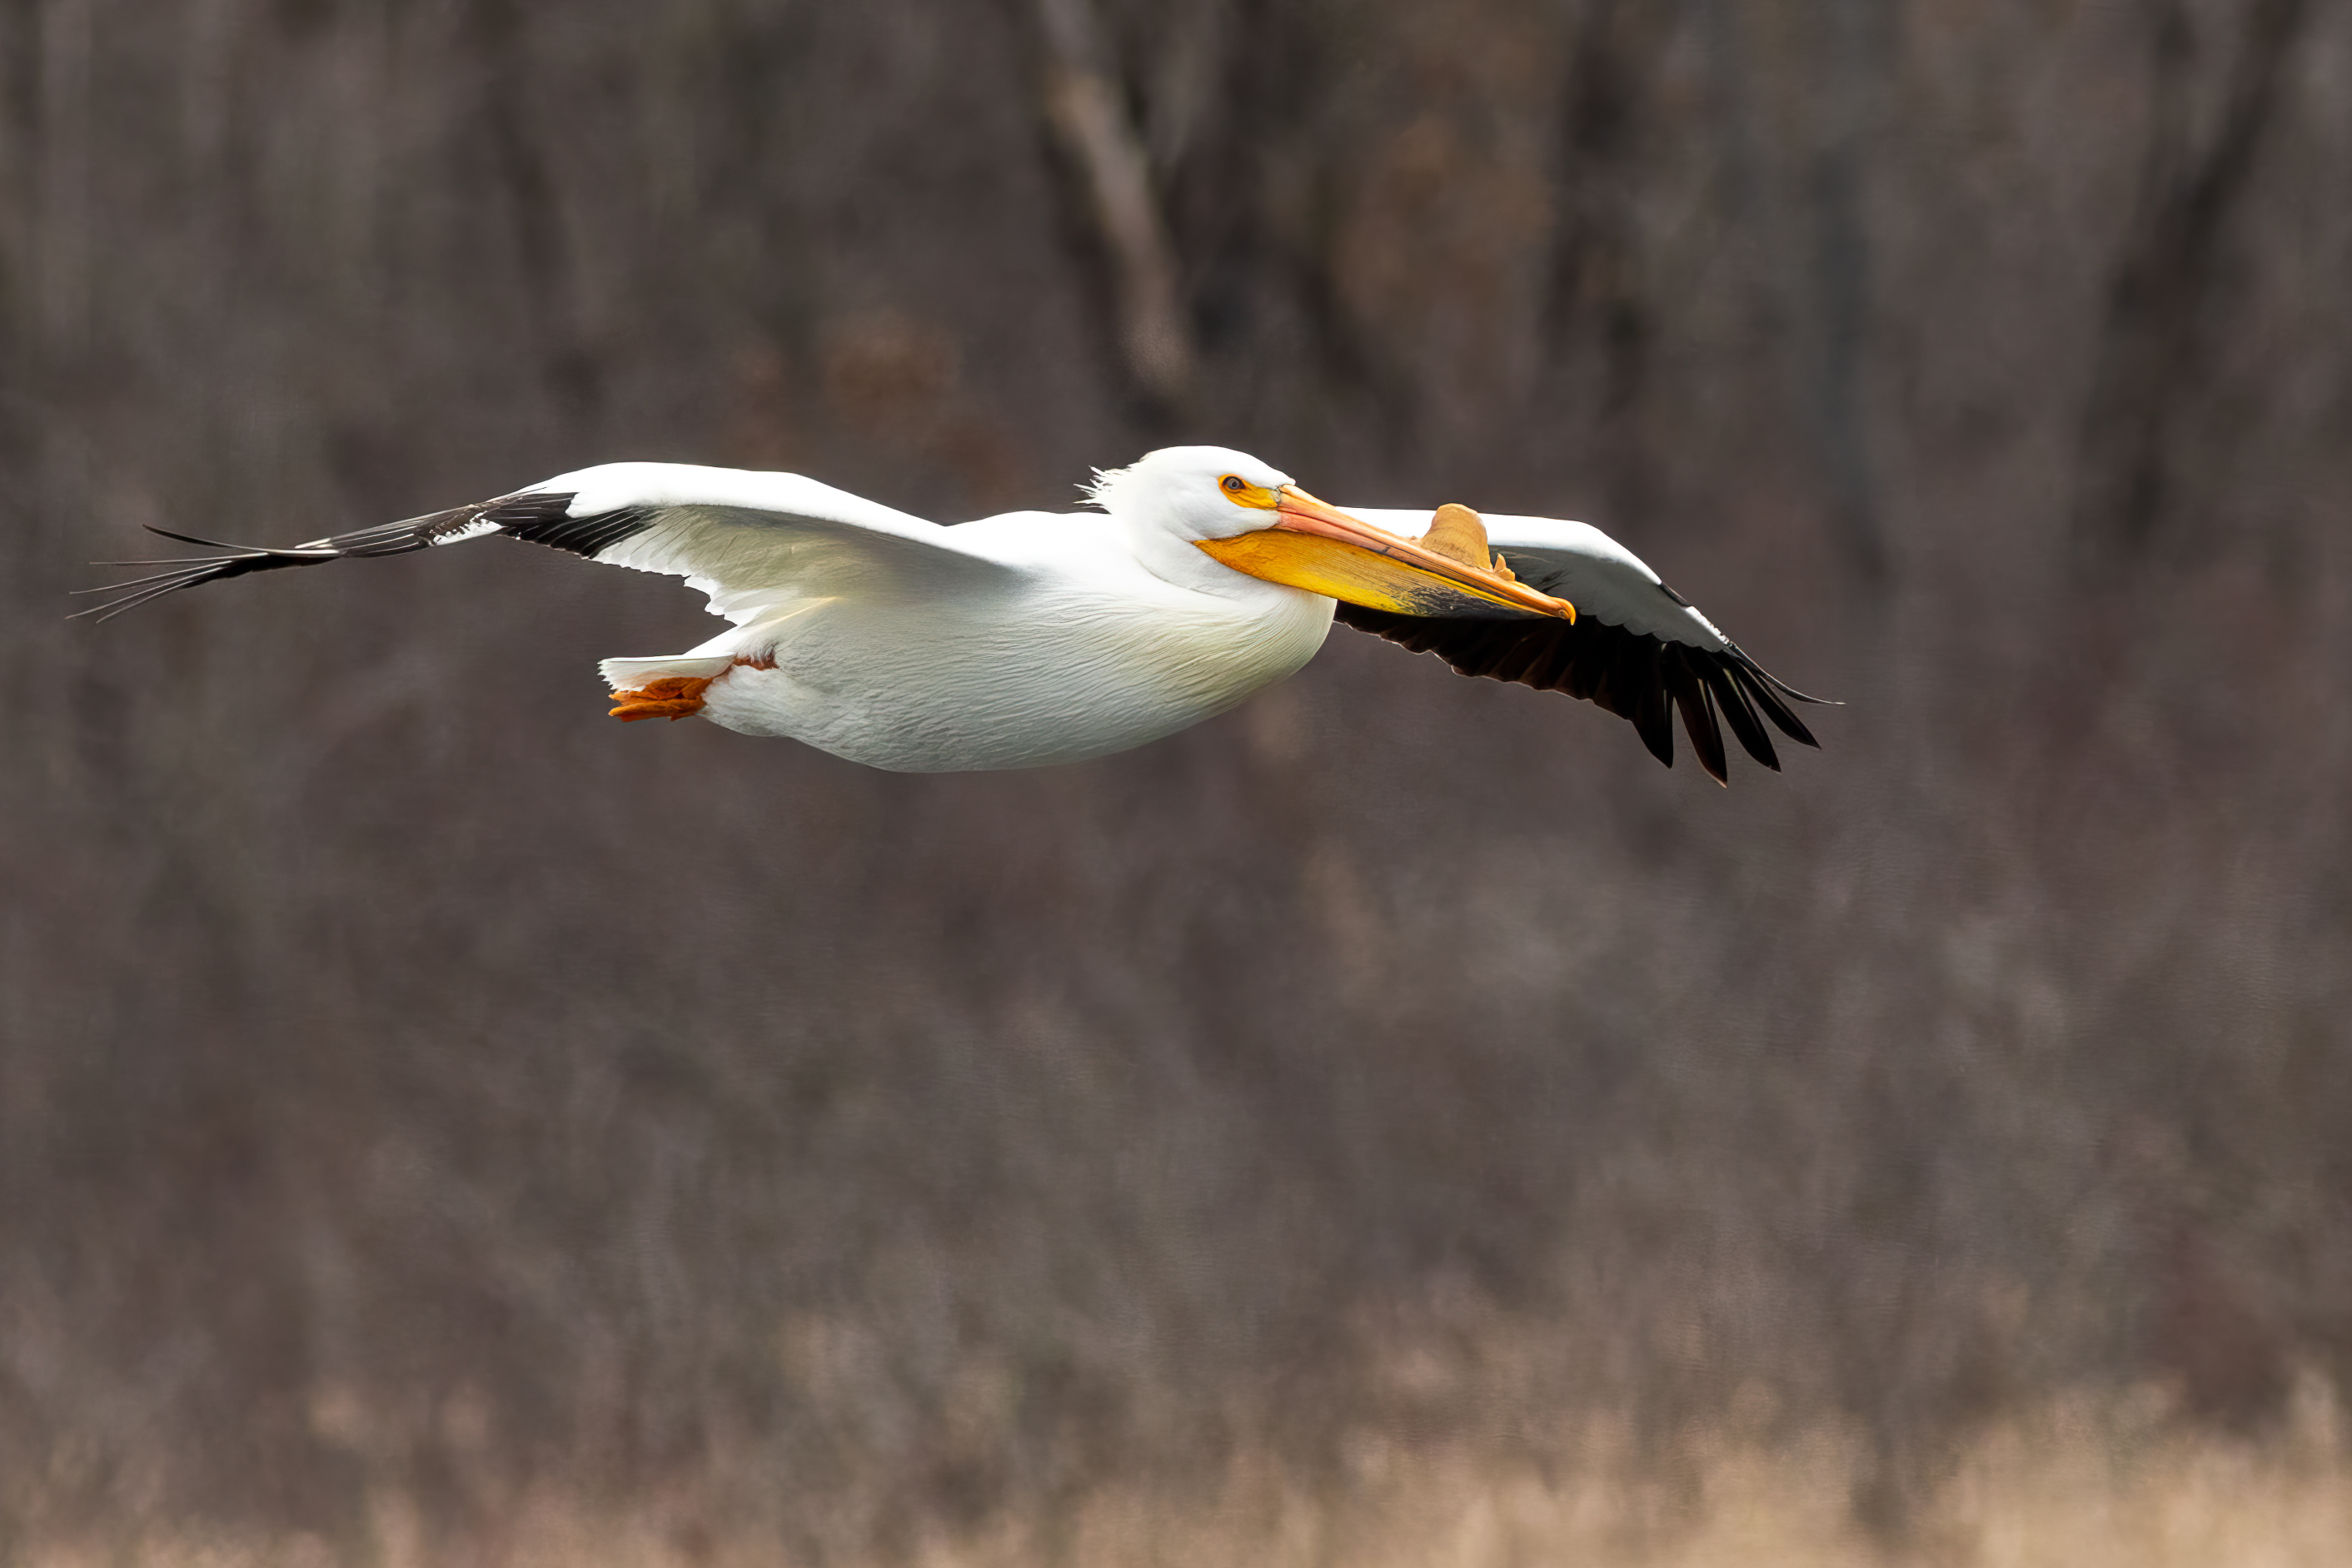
pixel 754 542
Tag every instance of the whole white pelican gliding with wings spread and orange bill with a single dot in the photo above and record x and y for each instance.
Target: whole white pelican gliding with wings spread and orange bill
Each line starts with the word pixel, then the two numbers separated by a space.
pixel 1038 638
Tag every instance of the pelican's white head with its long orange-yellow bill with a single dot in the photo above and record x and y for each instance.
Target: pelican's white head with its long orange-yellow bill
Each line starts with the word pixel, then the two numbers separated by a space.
pixel 1252 518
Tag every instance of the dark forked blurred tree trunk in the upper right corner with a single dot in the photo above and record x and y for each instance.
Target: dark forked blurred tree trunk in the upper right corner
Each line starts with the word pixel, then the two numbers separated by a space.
pixel 2163 290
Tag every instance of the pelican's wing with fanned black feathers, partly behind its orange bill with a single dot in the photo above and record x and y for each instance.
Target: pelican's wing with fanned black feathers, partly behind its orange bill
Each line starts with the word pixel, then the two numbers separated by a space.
pixel 1638 648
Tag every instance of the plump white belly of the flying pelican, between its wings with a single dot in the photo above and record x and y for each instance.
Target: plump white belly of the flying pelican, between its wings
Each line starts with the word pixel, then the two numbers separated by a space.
pixel 1015 681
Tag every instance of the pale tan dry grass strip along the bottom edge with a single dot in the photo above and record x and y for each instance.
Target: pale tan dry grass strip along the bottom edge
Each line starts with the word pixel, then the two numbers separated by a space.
pixel 2078 1485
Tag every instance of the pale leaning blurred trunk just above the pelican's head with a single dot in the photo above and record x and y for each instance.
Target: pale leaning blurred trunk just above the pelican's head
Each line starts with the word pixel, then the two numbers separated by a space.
pixel 1100 140
